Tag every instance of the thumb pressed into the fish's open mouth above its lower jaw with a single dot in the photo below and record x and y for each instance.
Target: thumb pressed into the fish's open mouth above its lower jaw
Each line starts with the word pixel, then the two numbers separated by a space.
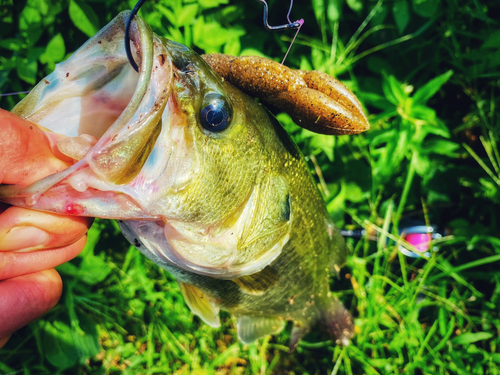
pixel 26 151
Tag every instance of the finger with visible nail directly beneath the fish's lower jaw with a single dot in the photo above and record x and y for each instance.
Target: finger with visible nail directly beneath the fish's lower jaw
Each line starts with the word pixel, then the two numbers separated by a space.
pixel 26 230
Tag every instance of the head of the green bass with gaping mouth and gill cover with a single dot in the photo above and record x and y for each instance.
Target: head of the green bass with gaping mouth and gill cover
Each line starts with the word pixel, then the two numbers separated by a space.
pixel 186 161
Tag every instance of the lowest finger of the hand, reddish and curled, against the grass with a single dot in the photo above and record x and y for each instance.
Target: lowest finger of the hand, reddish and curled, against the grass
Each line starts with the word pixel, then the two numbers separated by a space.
pixel 25 298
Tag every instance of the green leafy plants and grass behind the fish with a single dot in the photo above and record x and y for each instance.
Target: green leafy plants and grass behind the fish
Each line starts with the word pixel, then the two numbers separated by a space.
pixel 428 73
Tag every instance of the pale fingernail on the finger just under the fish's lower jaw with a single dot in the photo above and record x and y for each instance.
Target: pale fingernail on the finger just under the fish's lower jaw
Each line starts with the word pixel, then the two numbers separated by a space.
pixel 23 239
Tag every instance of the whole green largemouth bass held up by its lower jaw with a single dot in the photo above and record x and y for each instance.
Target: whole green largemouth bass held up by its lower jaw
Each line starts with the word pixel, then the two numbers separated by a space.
pixel 202 179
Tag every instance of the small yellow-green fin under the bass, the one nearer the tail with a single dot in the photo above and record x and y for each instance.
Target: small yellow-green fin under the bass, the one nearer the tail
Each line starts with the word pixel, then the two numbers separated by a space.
pixel 250 328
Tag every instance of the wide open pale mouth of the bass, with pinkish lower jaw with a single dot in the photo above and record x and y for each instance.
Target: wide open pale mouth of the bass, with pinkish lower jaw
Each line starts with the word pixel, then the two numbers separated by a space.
pixel 113 119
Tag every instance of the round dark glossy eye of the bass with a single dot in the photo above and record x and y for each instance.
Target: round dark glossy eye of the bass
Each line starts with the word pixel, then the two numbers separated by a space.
pixel 215 115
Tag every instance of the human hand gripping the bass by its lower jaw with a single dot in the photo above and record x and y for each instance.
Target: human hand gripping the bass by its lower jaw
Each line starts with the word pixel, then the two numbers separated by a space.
pixel 31 242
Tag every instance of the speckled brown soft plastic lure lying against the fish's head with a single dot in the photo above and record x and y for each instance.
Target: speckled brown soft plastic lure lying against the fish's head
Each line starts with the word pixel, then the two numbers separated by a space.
pixel 314 100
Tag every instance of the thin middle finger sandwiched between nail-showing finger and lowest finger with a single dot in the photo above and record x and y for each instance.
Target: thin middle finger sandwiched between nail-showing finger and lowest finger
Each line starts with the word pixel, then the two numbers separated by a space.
pixel 14 264
